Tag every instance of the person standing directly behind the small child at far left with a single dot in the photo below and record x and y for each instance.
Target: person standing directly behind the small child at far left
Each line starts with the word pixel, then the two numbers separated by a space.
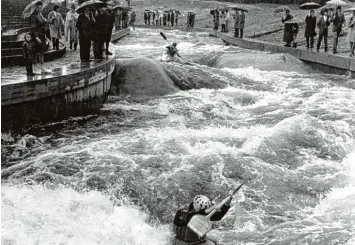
pixel 38 23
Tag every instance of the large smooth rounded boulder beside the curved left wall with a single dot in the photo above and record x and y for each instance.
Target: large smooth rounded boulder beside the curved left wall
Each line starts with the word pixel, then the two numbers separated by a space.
pixel 141 78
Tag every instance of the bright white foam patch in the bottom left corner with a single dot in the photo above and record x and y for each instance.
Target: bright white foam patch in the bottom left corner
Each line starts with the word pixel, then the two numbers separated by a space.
pixel 38 215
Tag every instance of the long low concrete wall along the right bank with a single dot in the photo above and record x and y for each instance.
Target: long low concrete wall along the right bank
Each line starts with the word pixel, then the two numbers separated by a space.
pixel 325 62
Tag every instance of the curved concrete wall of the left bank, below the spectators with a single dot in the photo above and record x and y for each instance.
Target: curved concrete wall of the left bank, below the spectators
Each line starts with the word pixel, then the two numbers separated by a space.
pixel 73 90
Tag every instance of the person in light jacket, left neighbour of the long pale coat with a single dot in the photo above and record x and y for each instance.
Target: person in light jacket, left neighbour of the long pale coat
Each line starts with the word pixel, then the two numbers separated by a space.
pixel 55 25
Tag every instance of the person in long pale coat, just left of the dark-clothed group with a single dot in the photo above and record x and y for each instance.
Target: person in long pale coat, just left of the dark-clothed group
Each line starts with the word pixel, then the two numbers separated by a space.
pixel 71 33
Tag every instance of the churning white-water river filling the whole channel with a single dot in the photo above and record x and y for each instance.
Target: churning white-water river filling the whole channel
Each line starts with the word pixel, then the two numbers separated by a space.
pixel 119 177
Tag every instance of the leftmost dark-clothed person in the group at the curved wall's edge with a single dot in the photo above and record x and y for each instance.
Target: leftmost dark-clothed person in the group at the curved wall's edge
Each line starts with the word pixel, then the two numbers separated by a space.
pixel 85 26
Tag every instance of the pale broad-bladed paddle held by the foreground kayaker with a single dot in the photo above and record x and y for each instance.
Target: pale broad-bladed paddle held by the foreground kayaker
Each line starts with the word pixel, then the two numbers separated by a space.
pixel 201 224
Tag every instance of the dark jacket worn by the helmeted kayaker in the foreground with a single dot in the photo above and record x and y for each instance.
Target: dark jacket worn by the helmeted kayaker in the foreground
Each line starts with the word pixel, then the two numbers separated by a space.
pixel 184 215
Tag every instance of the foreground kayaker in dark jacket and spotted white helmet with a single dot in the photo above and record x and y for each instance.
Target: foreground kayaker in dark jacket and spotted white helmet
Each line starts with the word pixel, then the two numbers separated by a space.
pixel 200 205
